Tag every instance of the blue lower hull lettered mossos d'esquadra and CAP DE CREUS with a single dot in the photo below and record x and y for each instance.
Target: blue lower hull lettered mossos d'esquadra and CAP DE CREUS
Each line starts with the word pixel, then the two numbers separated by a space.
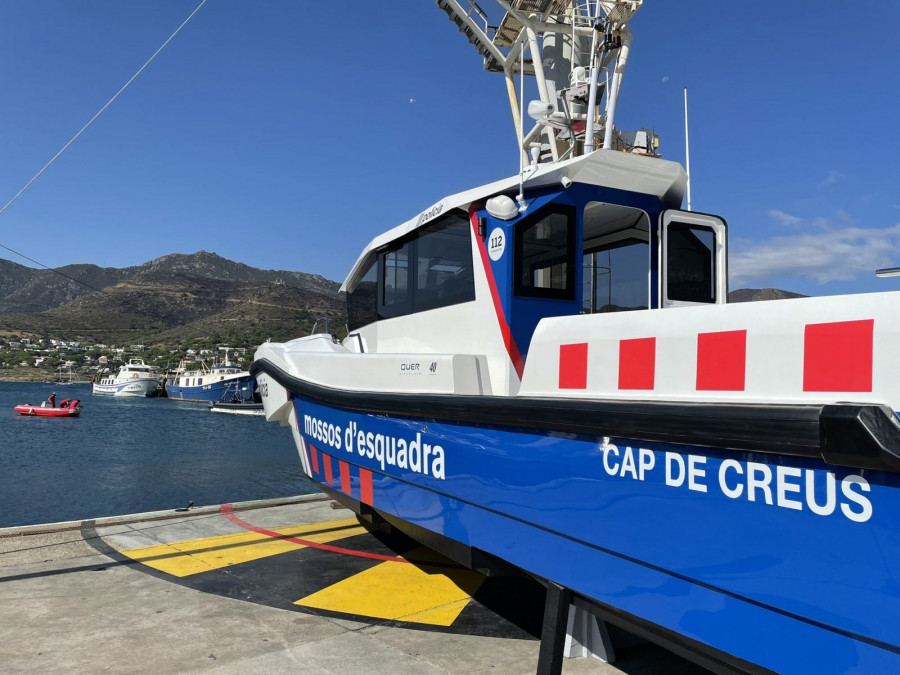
pixel 788 563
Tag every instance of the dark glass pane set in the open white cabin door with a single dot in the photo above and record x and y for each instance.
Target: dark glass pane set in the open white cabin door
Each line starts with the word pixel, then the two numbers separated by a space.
pixel 690 263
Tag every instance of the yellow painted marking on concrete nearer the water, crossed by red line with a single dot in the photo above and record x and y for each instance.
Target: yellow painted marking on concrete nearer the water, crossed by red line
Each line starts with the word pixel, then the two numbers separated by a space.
pixel 185 558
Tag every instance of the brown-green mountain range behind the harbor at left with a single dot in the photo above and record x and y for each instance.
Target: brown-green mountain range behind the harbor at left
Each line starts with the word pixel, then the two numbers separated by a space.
pixel 169 299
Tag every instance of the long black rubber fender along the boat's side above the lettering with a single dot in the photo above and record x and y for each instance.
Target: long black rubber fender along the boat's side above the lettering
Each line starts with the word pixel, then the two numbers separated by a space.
pixel 852 435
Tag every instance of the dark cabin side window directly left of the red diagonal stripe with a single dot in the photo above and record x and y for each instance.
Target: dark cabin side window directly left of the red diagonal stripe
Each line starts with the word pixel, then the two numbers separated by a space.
pixel 444 274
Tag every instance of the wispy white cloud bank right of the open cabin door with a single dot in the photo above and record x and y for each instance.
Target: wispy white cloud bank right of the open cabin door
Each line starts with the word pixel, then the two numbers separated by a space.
pixel 830 254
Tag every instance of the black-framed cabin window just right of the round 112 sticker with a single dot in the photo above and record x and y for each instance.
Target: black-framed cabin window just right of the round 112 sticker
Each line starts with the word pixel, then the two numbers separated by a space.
pixel 545 256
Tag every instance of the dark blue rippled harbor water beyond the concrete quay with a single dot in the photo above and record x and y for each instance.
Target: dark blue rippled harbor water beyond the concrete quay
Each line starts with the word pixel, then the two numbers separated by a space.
pixel 130 455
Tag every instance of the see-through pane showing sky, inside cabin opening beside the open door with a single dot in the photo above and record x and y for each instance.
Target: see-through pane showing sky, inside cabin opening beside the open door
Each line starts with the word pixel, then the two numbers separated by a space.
pixel 616 277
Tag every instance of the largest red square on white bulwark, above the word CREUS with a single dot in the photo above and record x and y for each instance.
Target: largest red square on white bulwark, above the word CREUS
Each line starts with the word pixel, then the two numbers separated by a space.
pixel 838 356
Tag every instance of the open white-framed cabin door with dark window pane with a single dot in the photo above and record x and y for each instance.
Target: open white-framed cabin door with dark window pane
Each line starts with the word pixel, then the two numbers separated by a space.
pixel 693 250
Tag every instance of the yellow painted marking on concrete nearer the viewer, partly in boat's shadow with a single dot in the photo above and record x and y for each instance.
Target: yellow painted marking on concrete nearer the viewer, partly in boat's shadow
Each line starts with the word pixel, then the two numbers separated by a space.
pixel 418 592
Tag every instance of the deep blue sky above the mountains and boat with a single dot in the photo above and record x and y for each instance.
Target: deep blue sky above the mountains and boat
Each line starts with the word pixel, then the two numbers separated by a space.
pixel 281 135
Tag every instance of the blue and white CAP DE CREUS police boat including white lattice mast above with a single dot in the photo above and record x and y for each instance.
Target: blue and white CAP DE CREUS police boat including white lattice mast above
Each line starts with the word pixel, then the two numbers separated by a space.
pixel 544 371
